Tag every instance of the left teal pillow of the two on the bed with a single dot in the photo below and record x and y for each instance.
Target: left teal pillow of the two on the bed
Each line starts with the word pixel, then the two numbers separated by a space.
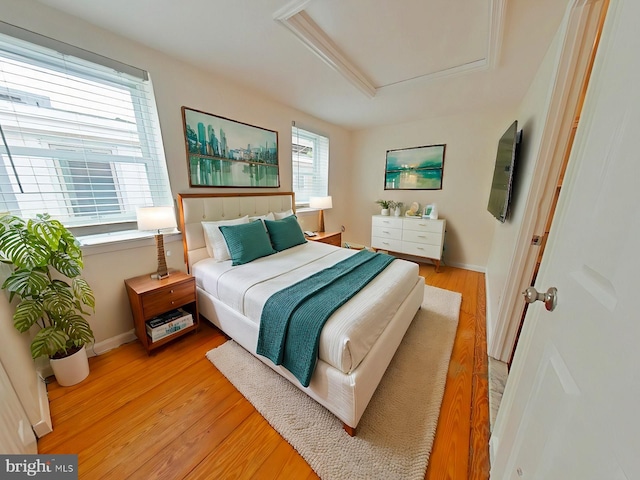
pixel 246 242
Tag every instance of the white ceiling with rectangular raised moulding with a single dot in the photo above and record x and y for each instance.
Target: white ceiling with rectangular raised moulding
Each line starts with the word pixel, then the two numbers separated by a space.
pixel 378 61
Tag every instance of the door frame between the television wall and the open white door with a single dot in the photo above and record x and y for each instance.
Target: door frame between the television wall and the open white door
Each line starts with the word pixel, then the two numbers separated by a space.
pixel 580 30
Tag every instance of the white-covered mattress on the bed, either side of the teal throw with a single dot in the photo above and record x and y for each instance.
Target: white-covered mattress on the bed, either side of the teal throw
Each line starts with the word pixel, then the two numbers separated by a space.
pixel 350 331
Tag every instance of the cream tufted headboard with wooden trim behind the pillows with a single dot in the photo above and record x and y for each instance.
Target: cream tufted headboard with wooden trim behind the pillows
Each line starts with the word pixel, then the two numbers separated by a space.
pixel 197 207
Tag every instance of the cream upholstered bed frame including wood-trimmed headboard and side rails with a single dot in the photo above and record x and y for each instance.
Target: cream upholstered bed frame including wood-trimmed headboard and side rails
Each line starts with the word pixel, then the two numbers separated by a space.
pixel 344 395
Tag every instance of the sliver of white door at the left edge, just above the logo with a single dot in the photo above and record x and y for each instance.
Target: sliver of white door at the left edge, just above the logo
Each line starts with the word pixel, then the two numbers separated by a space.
pixel 16 436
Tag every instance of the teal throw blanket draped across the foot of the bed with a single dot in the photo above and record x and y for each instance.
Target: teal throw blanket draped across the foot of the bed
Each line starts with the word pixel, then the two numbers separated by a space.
pixel 293 317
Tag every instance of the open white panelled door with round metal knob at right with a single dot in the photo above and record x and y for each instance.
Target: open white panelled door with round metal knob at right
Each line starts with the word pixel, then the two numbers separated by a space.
pixel 571 405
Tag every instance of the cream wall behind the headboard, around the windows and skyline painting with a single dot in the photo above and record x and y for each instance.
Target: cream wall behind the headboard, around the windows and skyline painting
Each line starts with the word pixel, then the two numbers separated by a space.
pixel 175 84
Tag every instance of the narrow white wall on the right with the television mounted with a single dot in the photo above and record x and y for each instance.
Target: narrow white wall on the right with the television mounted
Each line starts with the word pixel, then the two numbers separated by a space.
pixel 531 118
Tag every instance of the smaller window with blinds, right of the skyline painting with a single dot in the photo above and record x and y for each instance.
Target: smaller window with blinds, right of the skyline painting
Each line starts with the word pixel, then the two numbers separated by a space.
pixel 310 161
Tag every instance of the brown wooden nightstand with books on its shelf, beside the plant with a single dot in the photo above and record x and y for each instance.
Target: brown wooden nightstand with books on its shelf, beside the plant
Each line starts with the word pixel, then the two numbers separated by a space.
pixel 154 300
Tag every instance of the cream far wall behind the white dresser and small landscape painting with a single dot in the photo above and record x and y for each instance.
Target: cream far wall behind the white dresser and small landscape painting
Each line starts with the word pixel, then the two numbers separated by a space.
pixel 471 143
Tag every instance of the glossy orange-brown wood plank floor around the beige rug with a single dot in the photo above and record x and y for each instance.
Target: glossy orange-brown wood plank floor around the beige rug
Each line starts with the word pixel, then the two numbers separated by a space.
pixel 173 415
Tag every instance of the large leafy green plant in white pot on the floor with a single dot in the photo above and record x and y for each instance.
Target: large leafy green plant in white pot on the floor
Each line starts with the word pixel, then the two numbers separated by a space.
pixel 46 262
